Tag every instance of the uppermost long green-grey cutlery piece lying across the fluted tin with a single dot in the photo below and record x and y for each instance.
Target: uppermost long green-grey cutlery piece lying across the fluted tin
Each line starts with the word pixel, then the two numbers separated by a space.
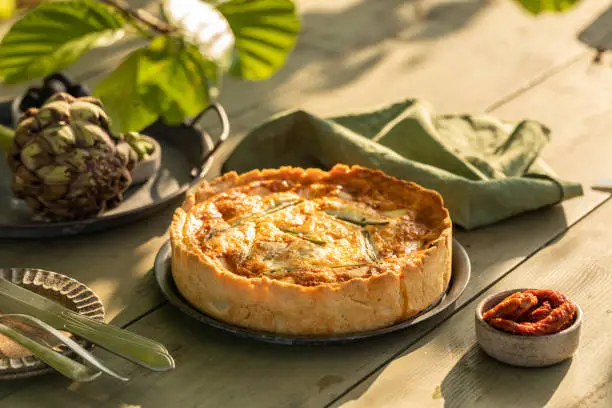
pixel 135 348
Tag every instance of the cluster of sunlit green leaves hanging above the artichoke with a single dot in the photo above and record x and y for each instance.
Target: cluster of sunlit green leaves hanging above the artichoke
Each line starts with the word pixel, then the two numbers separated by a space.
pixel 189 48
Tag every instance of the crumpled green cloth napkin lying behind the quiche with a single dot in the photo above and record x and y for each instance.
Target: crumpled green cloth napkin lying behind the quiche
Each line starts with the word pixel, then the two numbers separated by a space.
pixel 486 169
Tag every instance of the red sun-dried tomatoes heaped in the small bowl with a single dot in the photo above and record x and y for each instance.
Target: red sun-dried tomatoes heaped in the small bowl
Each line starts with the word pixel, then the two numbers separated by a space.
pixel 533 312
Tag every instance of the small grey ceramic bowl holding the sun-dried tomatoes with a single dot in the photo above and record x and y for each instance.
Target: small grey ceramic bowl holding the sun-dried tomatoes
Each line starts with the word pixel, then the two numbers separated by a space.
pixel 525 351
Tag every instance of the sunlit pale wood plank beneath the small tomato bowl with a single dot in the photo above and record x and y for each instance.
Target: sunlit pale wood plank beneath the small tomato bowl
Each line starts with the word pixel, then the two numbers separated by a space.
pixel 448 368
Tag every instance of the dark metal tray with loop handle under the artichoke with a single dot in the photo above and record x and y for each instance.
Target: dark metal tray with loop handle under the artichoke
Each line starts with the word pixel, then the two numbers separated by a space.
pixel 187 155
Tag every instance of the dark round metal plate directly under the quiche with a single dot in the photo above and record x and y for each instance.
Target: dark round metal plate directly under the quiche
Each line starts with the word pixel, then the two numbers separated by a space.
pixel 458 283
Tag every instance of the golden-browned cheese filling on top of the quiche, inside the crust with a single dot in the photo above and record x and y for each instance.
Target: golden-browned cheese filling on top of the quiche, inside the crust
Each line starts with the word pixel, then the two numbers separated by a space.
pixel 308 234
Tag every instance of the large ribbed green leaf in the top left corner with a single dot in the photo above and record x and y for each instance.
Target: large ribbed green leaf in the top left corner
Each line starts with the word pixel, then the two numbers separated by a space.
pixel 54 35
